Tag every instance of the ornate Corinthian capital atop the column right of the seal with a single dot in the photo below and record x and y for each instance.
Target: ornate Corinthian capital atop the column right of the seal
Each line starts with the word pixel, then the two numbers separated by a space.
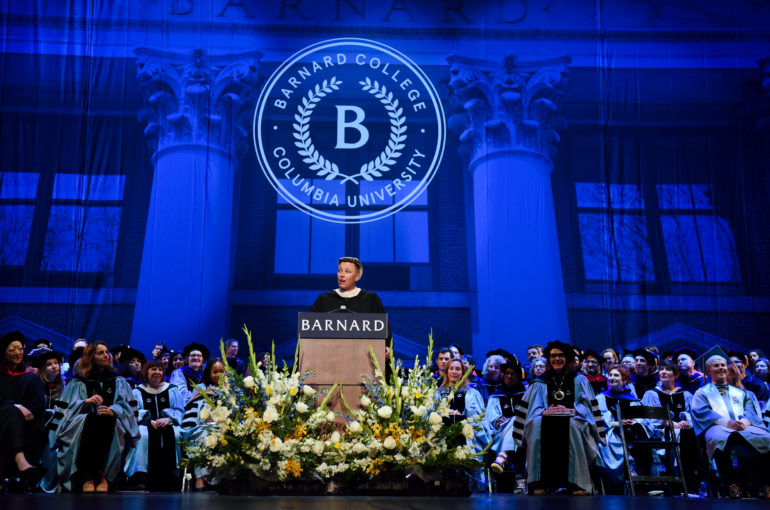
pixel 508 104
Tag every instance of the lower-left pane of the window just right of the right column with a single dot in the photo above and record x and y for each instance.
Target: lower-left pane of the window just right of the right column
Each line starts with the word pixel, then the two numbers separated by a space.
pixel 598 252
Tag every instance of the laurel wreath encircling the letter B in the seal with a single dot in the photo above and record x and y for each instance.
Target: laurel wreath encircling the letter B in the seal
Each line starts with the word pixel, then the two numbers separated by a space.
pixel 329 170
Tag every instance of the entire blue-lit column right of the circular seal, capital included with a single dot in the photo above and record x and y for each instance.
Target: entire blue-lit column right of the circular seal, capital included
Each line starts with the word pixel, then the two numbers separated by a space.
pixel 508 127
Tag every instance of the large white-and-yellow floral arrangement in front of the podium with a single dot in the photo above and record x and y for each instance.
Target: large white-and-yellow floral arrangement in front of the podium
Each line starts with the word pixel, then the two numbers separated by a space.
pixel 275 425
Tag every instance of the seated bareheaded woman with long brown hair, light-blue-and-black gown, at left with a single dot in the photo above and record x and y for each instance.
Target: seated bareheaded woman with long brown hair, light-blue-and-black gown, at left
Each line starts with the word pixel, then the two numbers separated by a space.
pixel 98 423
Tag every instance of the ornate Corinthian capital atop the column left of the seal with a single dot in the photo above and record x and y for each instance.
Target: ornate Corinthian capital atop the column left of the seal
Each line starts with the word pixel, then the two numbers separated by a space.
pixel 196 98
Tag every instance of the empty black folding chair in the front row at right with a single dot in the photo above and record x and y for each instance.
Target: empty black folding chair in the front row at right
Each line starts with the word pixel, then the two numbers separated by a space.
pixel 668 443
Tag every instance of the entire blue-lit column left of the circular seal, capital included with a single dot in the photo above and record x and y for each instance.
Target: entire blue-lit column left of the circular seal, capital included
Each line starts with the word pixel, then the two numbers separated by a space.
pixel 199 110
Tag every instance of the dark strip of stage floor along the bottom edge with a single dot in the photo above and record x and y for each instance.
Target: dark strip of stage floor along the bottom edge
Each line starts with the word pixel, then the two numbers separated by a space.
pixel 139 501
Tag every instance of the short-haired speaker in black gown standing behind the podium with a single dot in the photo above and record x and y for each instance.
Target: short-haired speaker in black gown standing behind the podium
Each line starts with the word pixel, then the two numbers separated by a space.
pixel 348 297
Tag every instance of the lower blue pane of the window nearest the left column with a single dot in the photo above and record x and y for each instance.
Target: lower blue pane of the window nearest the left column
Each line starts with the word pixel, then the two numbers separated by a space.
pixel 81 238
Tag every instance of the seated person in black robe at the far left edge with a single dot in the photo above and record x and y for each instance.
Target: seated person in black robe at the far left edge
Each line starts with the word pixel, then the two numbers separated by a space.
pixel 22 414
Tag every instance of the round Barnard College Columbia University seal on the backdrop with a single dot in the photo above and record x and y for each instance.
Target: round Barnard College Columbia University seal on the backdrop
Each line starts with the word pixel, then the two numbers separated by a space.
pixel 349 130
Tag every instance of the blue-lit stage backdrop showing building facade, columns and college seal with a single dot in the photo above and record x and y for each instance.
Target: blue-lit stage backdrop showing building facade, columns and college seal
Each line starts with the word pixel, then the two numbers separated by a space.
pixel 509 171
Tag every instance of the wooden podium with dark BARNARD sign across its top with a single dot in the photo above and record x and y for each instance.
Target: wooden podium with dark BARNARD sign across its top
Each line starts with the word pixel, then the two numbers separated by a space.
pixel 336 347
